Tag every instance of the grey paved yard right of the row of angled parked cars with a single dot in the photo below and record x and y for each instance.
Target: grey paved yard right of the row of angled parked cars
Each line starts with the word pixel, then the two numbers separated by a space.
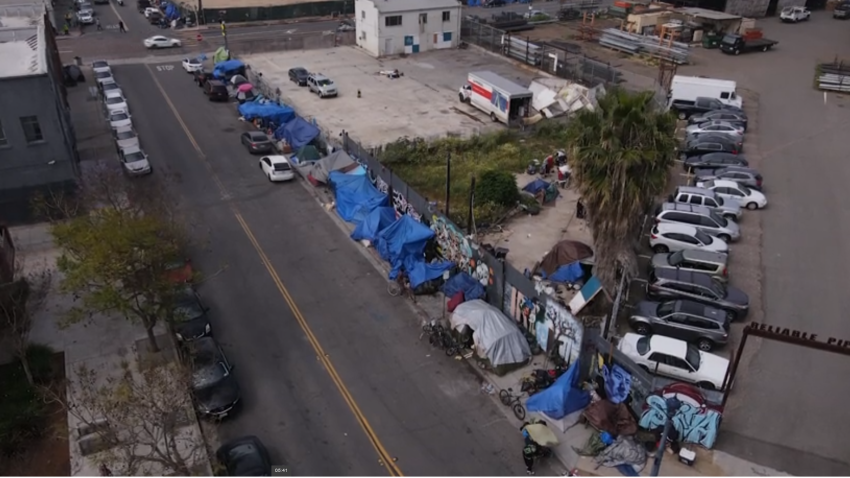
pixel 788 409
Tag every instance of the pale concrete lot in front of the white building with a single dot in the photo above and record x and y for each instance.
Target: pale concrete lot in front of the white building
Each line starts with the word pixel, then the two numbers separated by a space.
pixel 422 103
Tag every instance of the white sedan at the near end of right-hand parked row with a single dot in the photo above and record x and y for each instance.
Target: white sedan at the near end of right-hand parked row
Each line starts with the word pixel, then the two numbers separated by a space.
pixel 676 359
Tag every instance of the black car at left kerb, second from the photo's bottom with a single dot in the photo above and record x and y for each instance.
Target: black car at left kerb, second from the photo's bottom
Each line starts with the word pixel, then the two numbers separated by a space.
pixel 215 389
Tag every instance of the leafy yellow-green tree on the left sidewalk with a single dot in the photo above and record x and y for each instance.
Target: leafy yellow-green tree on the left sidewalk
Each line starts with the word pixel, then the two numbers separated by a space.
pixel 117 261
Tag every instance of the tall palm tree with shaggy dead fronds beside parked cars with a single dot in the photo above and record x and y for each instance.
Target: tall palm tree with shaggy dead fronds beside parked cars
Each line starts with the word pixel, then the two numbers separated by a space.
pixel 620 155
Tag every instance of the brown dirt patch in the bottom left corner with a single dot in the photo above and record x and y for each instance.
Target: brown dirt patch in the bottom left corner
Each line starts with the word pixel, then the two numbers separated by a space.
pixel 48 455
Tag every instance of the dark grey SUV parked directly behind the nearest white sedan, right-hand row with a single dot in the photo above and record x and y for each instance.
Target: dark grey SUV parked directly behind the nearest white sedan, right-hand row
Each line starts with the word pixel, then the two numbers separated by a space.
pixel 705 326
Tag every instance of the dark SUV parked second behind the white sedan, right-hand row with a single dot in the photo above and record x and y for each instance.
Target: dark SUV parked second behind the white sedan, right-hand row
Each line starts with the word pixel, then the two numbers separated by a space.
pixel 680 284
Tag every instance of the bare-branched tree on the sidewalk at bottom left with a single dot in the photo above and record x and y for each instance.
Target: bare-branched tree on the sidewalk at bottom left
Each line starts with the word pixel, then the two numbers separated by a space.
pixel 137 423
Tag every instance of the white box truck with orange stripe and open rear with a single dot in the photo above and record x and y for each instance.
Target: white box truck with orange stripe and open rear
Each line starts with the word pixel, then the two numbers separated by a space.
pixel 502 100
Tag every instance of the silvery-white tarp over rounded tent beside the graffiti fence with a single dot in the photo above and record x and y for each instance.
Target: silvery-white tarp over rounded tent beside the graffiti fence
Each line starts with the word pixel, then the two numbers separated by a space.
pixel 496 336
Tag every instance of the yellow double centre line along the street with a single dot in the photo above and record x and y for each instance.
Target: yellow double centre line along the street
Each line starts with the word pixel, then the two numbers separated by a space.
pixel 385 458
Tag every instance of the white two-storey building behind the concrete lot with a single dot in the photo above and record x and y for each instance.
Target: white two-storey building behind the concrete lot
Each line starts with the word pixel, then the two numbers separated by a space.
pixel 393 27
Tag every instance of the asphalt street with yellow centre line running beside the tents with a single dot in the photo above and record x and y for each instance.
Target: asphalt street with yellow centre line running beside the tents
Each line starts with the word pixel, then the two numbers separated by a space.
pixel 426 409
